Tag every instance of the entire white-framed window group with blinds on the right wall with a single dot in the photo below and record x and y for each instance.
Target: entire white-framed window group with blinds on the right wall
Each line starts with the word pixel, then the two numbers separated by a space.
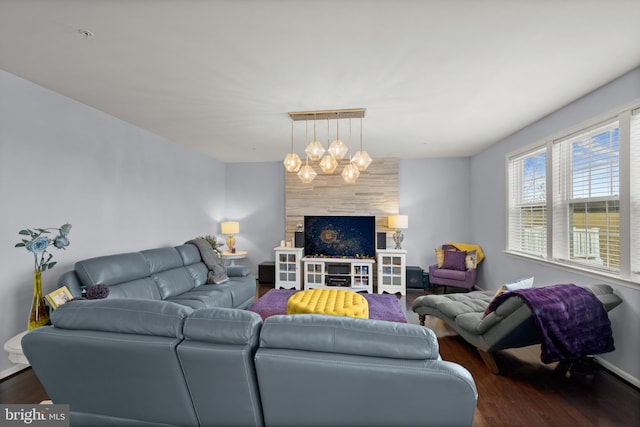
pixel 585 219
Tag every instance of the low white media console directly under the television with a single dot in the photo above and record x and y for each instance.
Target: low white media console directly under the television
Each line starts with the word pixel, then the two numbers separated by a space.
pixel 338 273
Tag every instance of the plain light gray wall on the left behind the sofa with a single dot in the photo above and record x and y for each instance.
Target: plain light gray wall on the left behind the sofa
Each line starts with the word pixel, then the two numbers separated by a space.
pixel 122 189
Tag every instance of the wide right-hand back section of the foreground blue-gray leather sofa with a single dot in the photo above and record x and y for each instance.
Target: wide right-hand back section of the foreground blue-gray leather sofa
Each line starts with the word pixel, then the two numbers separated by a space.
pixel 330 369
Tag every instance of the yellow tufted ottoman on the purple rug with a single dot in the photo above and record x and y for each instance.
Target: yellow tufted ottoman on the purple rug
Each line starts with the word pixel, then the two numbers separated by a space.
pixel 336 302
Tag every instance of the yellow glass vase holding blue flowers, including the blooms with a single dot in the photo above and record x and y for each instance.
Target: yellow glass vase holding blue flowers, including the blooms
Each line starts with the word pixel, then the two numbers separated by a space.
pixel 37 245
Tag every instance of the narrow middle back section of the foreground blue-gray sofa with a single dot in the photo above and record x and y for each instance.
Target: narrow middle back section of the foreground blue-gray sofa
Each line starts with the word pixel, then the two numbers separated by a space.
pixel 217 360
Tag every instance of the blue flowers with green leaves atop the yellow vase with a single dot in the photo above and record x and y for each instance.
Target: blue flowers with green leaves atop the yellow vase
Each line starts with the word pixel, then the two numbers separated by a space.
pixel 39 243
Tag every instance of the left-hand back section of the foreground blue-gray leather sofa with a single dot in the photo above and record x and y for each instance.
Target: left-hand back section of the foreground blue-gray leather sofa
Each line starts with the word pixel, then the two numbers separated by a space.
pixel 115 362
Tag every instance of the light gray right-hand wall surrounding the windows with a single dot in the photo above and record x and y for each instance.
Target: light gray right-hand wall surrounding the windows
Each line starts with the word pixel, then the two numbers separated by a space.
pixel 488 202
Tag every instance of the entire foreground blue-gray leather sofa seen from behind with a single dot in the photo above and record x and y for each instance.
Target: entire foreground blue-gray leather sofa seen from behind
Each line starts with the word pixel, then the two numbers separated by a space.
pixel 152 363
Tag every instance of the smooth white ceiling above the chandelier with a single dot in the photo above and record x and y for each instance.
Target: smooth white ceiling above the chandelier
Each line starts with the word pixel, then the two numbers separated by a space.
pixel 437 78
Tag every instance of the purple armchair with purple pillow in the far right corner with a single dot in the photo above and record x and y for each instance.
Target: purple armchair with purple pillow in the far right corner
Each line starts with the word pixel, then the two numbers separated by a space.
pixel 455 269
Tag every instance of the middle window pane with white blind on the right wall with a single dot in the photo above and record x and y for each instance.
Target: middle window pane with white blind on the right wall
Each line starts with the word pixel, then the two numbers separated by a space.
pixel 586 197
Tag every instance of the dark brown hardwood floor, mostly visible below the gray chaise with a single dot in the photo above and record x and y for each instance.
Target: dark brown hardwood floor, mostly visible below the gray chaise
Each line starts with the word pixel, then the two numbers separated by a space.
pixel 526 393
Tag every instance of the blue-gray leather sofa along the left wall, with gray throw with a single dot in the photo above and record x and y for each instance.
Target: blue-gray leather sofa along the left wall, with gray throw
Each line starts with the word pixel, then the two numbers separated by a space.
pixel 175 274
